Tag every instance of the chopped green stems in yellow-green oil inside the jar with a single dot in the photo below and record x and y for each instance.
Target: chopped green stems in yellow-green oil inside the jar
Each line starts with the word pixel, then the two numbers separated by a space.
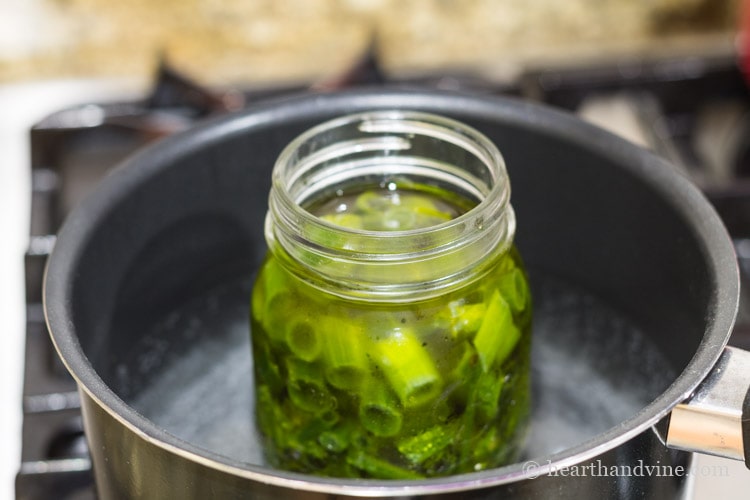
pixel 350 388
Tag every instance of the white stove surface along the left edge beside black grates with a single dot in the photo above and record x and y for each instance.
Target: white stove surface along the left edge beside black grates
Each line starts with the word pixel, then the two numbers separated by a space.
pixel 22 105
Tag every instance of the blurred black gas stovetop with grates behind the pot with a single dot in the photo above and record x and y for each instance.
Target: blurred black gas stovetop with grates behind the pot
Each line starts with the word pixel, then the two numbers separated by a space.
pixel 695 111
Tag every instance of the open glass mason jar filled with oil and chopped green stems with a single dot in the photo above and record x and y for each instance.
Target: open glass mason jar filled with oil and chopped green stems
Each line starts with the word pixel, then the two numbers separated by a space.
pixel 391 317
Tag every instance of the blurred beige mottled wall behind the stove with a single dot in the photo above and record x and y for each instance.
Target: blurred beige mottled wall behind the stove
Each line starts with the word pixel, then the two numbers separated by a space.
pixel 231 41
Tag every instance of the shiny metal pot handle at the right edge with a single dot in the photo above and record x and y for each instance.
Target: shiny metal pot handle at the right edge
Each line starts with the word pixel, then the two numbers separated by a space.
pixel 716 418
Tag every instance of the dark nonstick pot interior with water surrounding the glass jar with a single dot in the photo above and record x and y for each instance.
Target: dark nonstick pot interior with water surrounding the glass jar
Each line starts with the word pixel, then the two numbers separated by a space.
pixel 633 277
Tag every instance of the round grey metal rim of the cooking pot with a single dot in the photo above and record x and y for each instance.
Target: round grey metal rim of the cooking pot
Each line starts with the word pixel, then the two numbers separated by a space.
pixel 656 172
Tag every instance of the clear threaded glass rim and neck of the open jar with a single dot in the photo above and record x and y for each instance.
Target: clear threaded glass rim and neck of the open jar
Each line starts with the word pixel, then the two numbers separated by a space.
pixel 404 263
